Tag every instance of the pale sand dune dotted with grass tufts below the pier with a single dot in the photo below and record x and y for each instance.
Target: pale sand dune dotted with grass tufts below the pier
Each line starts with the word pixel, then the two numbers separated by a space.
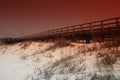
pixel 31 60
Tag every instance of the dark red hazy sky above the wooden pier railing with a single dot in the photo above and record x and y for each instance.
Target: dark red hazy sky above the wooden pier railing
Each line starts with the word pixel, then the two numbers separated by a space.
pixel 24 17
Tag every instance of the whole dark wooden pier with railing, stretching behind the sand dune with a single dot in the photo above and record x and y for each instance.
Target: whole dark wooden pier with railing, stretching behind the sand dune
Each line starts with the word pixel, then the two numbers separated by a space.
pixel 96 31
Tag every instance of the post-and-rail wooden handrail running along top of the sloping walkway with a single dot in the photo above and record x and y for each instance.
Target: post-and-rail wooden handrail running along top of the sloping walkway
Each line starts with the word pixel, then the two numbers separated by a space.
pixel 90 26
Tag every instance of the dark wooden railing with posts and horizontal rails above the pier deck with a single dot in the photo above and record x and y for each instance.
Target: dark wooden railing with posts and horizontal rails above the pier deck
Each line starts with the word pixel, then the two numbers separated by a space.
pixel 102 25
